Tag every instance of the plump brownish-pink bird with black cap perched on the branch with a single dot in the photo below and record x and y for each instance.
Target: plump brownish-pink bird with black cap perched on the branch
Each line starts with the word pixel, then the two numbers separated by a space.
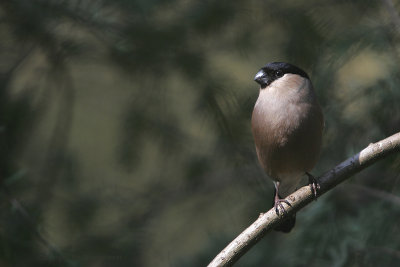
pixel 287 125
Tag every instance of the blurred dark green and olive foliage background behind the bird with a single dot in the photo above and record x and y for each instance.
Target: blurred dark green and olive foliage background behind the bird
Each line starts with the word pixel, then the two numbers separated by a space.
pixel 125 130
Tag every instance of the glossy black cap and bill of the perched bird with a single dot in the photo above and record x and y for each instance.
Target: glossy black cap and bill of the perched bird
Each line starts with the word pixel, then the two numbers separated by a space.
pixel 274 70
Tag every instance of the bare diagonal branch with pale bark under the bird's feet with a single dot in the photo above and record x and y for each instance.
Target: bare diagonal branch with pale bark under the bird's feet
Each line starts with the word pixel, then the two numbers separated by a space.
pixel 303 196
